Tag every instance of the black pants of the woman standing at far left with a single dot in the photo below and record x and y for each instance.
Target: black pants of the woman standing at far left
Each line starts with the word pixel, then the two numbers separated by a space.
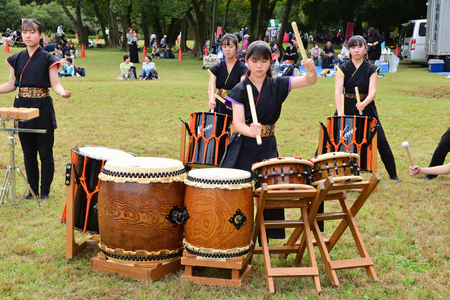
pixel 32 144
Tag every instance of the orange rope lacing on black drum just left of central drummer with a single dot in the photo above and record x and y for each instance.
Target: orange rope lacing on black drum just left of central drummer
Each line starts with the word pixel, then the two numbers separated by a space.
pixel 207 140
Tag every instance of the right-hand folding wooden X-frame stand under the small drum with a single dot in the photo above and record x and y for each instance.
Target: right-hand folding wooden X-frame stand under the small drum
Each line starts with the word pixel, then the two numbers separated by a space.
pixel 347 215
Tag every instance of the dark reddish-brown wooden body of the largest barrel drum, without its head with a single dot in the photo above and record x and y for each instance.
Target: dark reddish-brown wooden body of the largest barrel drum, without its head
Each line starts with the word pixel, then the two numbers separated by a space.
pixel 132 216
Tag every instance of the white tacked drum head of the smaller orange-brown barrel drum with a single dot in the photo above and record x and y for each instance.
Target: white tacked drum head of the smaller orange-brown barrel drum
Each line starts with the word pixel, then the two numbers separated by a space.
pixel 219 178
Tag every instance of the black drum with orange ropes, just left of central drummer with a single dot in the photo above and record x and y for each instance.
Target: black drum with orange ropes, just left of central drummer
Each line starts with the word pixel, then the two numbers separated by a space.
pixel 208 137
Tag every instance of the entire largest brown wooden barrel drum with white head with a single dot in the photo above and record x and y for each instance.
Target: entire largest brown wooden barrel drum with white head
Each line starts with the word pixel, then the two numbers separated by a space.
pixel 141 209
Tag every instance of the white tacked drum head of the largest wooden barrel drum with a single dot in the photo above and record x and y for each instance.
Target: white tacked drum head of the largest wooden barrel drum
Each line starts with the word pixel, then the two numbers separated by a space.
pixel 143 170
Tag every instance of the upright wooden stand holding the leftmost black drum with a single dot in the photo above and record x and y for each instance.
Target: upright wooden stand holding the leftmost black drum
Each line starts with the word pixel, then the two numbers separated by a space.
pixel 91 240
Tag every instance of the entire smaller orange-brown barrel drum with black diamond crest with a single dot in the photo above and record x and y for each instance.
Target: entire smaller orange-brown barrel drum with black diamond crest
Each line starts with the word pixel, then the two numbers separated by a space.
pixel 219 202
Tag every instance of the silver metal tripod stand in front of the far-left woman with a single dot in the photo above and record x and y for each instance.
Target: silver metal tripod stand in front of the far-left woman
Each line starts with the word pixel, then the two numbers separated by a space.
pixel 9 186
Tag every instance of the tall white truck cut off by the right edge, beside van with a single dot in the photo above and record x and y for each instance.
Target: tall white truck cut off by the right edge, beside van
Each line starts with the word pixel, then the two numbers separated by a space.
pixel 437 43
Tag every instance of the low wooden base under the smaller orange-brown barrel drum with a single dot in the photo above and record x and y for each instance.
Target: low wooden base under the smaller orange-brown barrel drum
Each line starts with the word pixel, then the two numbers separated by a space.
pixel 239 266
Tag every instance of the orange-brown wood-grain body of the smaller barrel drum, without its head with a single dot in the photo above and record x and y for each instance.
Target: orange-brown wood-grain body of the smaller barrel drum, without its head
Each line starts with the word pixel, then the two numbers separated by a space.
pixel 210 211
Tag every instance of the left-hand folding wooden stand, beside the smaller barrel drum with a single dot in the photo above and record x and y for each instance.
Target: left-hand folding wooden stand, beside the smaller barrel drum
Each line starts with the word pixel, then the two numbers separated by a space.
pixel 273 199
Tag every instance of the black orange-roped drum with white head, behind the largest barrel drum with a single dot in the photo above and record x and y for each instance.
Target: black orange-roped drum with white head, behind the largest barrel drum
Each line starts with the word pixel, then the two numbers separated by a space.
pixel 89 161
